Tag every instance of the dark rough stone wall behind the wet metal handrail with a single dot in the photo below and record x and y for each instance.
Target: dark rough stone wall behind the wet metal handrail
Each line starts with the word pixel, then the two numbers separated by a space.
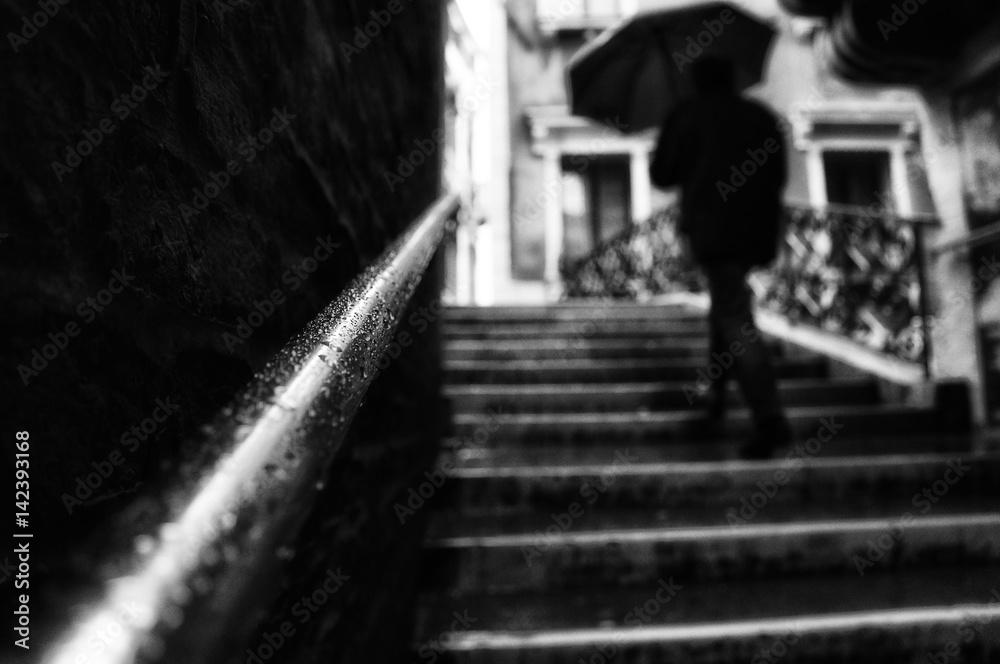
pixel 119 121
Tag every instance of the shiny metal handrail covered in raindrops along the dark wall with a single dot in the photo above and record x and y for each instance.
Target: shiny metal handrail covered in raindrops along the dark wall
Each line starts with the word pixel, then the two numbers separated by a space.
pixel 190 582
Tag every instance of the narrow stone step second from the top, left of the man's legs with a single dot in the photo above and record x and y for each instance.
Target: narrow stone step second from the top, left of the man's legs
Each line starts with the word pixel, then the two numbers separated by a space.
pixel 693 328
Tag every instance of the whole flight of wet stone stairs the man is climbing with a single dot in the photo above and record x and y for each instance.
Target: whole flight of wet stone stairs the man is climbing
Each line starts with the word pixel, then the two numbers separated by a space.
pixel 584 512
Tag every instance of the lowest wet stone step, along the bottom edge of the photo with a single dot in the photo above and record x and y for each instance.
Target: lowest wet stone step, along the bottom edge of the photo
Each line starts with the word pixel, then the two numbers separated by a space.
pixel 950 617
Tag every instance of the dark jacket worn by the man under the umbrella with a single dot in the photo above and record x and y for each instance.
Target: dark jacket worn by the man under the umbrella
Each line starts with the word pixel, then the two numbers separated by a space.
pixel 727 154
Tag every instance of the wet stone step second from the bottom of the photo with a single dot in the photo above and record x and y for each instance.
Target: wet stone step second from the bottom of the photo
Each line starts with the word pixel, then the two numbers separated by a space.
pixel 579 549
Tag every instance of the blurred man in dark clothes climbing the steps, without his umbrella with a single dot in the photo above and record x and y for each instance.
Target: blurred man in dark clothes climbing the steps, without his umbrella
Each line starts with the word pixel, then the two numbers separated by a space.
pixel 727 155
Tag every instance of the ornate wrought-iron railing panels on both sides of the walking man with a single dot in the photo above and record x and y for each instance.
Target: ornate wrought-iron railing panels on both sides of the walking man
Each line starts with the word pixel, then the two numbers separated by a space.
pixel 841 269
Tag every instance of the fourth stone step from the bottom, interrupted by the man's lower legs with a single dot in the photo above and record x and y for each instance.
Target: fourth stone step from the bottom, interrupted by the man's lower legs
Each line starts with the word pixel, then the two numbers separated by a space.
pixel 625 428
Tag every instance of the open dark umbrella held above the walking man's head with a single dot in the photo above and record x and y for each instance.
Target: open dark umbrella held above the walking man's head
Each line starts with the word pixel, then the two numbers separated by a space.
pixel 636 71
